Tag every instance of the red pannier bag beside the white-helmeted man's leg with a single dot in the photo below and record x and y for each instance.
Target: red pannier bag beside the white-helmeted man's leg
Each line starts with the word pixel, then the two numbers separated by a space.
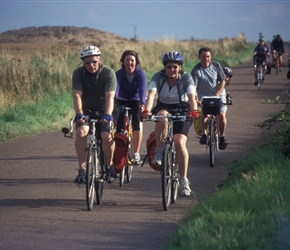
pixel 121 152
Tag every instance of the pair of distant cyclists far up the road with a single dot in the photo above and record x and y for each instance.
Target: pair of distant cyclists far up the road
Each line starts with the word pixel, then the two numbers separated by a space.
pixel 262 53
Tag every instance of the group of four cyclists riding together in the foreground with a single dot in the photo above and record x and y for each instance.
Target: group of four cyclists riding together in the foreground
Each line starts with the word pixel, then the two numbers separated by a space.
pixel 96 88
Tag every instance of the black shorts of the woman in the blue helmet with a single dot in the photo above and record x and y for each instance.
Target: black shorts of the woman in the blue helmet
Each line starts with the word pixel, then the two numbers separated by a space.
pixel 180 108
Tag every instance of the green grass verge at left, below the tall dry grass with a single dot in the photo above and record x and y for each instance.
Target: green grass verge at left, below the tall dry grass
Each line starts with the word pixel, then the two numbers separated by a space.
pixel 50 114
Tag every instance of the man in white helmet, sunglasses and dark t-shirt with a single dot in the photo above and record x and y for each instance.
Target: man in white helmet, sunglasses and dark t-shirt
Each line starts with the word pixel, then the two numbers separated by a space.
pixel 93 88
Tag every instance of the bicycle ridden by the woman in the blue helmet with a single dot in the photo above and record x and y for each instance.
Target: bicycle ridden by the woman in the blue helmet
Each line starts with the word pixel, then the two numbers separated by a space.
pixel 169 168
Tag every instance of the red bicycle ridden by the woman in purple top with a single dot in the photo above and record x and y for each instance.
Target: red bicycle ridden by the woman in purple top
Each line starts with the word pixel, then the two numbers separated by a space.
pixel 127 130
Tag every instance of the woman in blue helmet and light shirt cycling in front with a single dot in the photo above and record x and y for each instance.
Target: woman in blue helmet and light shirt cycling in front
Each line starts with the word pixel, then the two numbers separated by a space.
pixel 176 91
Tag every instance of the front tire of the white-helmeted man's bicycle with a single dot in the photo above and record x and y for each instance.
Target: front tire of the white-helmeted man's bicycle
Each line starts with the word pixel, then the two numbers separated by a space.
pixel 90 176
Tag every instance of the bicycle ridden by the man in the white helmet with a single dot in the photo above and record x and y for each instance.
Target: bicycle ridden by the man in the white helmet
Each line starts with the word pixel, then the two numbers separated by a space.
pixel 95 162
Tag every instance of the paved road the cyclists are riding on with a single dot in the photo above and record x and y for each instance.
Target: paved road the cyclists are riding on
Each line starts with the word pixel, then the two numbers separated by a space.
pixel 41 207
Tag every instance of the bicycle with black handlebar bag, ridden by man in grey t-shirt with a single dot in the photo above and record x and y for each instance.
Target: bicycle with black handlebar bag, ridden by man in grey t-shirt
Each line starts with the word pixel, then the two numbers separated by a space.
pixel 211 107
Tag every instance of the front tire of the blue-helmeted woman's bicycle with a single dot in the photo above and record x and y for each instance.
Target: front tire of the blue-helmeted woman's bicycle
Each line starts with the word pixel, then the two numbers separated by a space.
pixel 166 178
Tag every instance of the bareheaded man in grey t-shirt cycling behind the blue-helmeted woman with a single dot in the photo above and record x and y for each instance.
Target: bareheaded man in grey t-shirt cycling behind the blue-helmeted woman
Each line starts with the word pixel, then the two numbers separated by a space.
pixel 209 79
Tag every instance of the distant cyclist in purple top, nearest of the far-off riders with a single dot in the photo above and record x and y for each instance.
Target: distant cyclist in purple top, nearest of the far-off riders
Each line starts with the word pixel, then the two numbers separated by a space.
pixel 261 54
